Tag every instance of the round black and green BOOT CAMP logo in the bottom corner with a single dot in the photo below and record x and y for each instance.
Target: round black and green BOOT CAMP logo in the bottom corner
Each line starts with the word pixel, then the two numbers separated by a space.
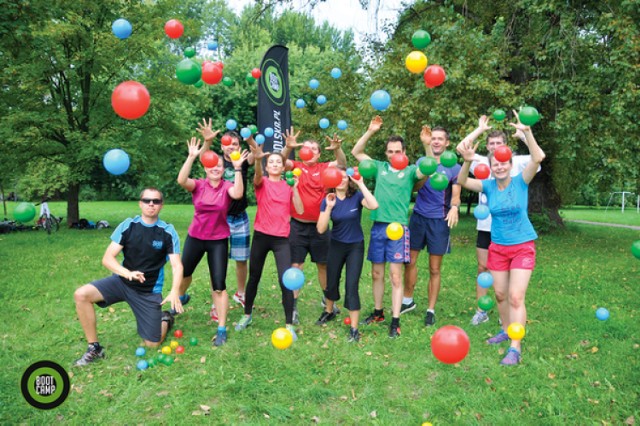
pixel 45 385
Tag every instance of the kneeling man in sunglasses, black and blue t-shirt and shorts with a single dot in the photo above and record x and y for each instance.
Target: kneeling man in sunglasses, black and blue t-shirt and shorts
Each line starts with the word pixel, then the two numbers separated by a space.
pixel 145 242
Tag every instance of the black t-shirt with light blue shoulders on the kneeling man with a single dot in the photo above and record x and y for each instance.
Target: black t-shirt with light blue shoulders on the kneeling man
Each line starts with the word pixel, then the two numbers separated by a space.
pixel 145 249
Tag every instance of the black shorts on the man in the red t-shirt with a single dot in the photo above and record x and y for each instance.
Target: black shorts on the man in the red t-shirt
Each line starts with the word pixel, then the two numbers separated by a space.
pixel 304 238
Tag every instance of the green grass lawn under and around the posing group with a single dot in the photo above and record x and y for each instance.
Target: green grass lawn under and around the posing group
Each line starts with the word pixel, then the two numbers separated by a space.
pixel 575 370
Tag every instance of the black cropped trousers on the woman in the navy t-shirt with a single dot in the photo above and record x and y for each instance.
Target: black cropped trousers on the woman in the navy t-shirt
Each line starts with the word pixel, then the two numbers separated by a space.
pixel 351 255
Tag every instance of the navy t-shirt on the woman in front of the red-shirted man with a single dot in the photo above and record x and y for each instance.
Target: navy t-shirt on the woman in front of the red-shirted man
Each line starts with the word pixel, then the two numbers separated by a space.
pixel 346 215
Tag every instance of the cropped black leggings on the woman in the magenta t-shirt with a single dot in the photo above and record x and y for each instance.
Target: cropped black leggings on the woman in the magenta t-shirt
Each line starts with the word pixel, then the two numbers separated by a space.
pixel 217 257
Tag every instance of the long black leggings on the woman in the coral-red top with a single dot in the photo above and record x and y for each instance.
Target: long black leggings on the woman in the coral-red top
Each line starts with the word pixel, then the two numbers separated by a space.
pixel 261 245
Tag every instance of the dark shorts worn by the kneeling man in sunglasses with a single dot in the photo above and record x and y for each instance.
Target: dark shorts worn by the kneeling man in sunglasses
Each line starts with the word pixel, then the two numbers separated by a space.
pixel 146 307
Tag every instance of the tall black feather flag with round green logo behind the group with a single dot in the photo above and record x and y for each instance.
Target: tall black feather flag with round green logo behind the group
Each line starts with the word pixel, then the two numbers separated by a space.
pixel 274 108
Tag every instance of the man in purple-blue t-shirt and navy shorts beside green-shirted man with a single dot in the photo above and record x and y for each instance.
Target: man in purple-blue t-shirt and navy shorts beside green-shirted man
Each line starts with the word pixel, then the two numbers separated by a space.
pixel 434 214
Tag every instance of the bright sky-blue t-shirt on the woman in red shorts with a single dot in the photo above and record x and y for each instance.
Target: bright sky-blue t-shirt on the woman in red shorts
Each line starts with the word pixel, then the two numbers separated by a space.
pixel 510 222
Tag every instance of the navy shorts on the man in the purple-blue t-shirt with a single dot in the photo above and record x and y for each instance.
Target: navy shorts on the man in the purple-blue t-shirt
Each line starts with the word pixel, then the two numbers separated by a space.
pixel 430 233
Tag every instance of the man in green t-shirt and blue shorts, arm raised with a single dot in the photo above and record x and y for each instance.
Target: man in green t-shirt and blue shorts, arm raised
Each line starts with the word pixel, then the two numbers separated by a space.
pixel 393 192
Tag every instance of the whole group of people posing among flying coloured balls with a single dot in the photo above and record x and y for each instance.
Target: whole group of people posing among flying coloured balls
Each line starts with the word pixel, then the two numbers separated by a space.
pixel 302 217
